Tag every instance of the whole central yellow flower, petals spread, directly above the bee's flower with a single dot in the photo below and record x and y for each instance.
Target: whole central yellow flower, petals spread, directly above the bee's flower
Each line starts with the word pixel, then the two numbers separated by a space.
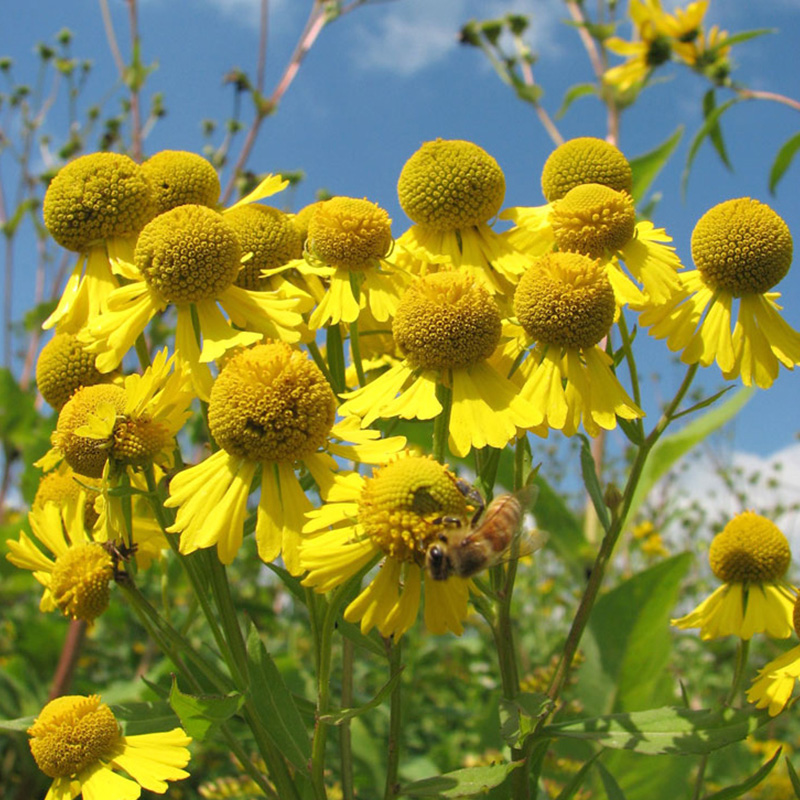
pixel 448 326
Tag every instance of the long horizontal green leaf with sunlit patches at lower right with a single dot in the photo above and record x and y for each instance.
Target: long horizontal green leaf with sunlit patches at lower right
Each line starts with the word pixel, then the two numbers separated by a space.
pixel 681 731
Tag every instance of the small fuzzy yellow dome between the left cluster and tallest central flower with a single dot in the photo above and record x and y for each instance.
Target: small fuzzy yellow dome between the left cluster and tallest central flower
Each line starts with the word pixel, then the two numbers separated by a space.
pixel 349 233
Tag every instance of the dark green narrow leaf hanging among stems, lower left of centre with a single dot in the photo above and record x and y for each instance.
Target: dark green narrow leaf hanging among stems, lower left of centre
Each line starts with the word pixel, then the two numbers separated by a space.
pixel 274 704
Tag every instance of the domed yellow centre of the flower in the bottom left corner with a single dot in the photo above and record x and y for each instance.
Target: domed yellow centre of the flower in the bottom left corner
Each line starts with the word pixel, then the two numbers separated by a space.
pixel 71 733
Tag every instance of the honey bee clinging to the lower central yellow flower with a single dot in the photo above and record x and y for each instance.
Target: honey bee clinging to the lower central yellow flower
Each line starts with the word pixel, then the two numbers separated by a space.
pixel 466 548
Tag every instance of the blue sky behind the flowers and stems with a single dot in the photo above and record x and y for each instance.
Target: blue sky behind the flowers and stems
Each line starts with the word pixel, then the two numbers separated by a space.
pixel 388 77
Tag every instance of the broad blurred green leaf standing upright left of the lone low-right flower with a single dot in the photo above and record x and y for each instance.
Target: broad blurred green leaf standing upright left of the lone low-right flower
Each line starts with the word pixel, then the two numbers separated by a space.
pixel 630 627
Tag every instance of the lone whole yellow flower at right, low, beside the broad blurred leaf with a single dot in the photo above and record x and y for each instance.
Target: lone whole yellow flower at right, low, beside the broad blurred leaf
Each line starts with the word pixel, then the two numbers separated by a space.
pixel 751 557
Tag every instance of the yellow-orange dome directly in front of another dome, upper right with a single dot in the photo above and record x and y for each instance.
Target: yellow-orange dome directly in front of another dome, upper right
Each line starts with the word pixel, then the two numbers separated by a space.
pixel 593 220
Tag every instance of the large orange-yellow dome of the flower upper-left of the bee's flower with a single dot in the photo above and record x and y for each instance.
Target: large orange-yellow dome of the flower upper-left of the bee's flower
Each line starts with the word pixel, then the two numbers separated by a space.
pixel 271 403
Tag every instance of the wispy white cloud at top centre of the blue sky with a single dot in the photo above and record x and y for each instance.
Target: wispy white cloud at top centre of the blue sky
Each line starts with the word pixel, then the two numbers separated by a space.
pixel 413 35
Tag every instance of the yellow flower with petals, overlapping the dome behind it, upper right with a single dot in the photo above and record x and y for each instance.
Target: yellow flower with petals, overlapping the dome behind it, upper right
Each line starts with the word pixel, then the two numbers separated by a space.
pixel 600 222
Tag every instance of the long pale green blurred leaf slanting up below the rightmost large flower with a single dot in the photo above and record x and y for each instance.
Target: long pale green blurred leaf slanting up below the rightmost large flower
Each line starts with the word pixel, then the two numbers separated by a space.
pixel 670 449
